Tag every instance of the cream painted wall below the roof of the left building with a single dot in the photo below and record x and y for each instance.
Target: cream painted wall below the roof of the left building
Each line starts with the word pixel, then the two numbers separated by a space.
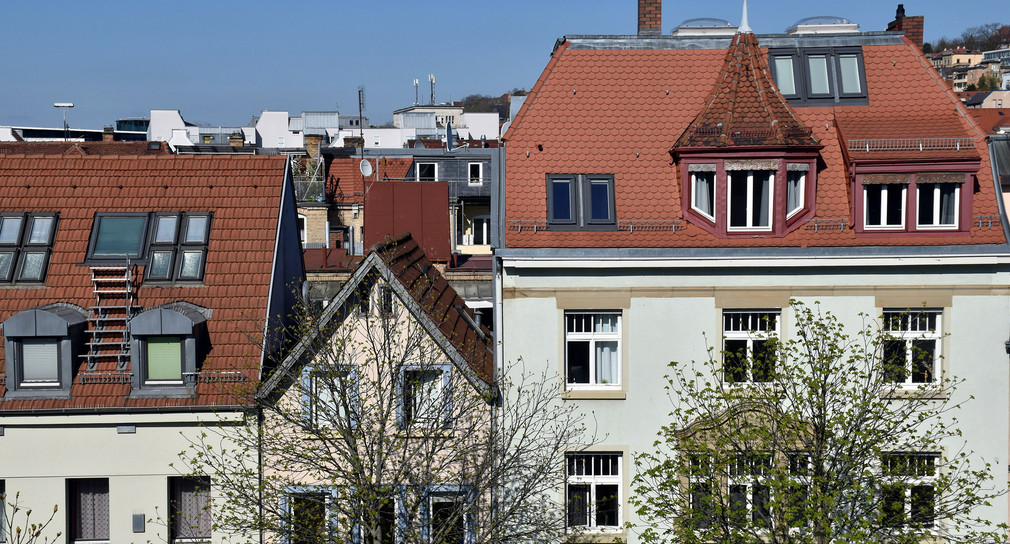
pixel 39 455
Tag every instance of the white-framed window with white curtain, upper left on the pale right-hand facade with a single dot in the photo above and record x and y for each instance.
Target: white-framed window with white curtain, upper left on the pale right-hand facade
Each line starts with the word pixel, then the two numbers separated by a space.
pixel 592 350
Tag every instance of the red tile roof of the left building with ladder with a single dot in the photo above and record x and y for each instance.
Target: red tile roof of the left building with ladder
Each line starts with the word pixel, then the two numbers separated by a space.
pixel 244 194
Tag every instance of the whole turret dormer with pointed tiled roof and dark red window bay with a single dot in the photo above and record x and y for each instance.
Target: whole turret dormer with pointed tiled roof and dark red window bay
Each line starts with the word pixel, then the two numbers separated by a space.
pixel 747 165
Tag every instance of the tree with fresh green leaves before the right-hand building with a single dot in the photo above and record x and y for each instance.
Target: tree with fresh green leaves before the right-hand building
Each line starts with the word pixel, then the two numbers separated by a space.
pixel 829 450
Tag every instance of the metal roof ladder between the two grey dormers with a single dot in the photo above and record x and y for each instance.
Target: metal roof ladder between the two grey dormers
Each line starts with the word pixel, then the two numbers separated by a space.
pixel 115 298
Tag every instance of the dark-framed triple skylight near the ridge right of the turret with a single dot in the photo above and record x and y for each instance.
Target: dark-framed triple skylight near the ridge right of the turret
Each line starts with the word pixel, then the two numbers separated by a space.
pixel 820 76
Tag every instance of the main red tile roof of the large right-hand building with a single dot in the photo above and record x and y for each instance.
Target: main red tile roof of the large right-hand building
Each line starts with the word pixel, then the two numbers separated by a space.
pixel 619 111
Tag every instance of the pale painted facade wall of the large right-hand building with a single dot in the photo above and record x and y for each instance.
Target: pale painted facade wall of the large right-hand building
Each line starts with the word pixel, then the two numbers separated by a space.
pixel 675 314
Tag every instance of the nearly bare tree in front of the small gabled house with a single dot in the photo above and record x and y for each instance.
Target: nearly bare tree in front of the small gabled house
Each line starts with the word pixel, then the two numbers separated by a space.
pixel 380 431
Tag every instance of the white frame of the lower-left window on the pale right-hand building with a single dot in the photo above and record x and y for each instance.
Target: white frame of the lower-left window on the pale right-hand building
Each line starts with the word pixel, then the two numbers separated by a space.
pixel 577 474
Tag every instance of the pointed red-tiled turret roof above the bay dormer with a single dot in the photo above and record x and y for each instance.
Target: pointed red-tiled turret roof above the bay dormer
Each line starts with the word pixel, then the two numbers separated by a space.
pixel 745 107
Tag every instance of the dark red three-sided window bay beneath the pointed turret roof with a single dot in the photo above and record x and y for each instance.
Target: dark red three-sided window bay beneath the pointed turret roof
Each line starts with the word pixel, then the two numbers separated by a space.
pixel 745 196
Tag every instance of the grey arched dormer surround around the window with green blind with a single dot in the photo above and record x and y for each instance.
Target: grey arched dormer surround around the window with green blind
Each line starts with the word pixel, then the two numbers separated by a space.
pixel 183 320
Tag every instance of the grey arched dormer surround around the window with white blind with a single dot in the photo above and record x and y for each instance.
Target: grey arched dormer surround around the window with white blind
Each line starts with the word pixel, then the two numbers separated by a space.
pixel 64 324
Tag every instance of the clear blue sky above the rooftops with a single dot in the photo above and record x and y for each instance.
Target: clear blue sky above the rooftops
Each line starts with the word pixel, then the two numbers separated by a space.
pixel 221 63
